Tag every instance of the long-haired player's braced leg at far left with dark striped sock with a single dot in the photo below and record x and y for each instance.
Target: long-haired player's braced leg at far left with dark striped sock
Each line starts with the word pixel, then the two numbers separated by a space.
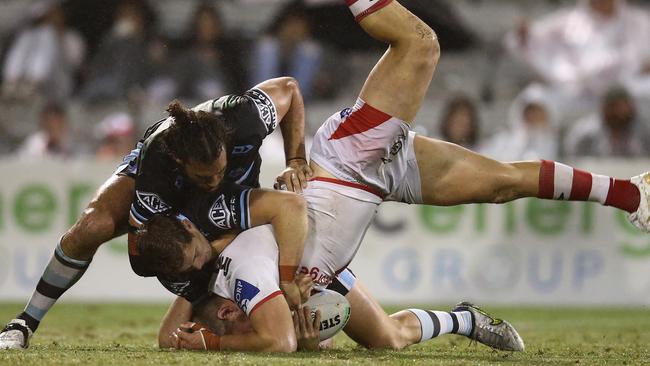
pixel 105 218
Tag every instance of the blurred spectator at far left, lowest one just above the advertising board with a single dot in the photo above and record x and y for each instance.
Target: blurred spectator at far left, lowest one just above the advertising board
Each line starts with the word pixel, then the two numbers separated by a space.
pixel 53 138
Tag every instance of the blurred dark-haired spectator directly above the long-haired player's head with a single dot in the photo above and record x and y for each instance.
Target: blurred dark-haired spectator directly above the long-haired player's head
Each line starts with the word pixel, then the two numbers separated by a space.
pixel 199 72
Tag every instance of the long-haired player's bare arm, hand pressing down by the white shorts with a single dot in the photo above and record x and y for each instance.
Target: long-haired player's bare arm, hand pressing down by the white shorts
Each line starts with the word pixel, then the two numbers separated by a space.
pixel 287 98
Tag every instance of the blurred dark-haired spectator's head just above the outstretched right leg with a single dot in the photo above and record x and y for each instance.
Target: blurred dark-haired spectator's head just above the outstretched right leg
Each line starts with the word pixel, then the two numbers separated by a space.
pixel 460 122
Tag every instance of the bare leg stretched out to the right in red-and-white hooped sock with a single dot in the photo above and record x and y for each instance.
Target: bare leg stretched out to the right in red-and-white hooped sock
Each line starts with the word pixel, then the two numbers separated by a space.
pixel 452 175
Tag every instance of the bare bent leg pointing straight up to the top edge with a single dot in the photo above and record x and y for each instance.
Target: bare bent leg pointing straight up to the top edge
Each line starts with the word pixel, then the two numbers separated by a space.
pixel 398 82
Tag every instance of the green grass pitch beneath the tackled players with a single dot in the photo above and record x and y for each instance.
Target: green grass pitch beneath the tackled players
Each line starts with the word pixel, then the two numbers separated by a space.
pixel 119 334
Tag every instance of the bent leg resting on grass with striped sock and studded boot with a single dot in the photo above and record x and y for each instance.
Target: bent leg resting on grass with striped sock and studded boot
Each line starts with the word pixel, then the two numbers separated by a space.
pixel 372 328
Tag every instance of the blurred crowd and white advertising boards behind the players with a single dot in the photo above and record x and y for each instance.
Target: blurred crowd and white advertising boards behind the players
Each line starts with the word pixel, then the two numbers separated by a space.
pixel 518 79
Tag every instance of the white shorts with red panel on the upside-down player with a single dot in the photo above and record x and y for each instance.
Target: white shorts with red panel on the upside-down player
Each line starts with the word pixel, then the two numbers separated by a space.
pixel 368 148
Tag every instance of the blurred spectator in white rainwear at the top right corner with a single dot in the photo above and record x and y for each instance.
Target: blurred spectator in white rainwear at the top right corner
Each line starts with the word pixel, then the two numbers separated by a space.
pixel 580 51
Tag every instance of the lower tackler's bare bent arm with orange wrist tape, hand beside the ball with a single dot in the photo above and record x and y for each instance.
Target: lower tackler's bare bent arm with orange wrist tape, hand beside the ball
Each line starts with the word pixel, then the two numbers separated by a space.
pixel 287 213
